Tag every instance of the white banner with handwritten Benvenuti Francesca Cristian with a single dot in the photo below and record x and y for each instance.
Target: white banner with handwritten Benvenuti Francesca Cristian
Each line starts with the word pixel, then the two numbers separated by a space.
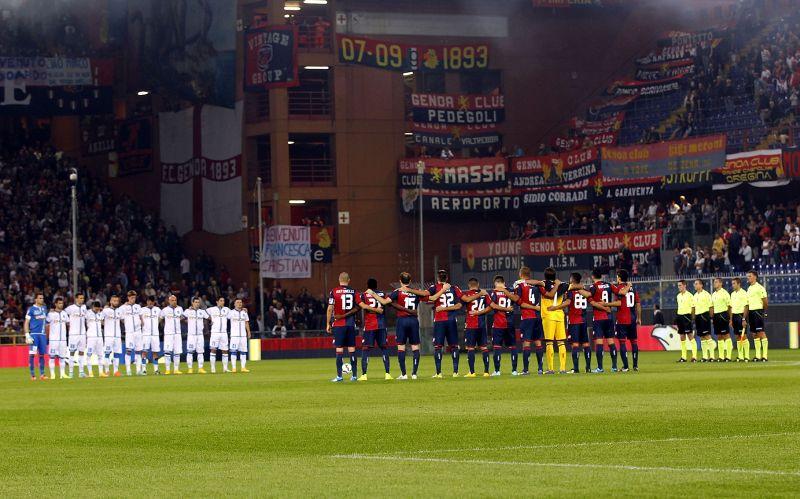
pixel 287 252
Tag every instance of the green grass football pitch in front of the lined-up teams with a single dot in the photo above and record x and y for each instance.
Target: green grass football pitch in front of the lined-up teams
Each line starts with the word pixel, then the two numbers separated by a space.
pixel 284 429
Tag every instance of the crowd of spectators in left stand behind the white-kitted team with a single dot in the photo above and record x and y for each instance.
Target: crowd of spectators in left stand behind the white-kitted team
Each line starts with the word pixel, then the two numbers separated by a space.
pixel 121 247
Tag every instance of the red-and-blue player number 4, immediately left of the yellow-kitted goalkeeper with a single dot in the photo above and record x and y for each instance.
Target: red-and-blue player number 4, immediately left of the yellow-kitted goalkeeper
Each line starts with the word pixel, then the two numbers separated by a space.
pixel 530 302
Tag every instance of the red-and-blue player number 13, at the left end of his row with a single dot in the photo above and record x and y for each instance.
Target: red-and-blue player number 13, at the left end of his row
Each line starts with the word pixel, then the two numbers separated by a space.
pixel 342 306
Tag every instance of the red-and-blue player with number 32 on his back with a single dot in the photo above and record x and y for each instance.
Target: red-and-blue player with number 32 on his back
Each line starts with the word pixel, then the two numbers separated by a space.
pixel 447 300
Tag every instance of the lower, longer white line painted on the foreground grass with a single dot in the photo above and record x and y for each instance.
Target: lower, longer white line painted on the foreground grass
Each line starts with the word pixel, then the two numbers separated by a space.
pixel 565 465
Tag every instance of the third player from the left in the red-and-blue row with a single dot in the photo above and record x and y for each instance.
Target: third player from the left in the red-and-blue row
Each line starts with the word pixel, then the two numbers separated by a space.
pixel 406 301
